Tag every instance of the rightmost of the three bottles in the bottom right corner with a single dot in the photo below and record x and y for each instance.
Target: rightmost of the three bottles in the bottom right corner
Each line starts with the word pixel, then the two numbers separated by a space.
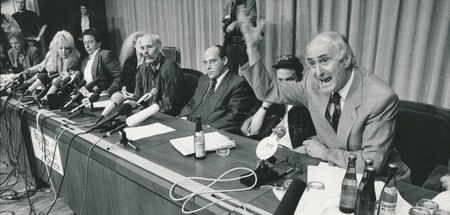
pixel 388 196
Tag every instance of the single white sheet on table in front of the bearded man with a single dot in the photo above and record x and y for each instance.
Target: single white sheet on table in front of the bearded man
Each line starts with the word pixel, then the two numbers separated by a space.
pixel 139 132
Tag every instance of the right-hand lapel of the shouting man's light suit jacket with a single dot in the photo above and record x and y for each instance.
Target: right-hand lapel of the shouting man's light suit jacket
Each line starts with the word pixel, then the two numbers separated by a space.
pixel 349 114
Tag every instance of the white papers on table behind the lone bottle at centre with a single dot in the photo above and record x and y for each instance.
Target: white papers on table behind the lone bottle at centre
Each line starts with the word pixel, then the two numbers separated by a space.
pixel 213 141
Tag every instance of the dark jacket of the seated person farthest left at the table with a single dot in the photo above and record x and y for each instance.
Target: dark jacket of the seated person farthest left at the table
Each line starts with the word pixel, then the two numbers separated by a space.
pixel 32 57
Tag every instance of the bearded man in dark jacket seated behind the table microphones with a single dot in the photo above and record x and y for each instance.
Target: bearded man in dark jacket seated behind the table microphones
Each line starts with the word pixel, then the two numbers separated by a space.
pixel 158 76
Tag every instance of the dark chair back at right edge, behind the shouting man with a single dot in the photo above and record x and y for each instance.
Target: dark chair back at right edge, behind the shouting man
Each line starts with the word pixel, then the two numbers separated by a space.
pixel 422 137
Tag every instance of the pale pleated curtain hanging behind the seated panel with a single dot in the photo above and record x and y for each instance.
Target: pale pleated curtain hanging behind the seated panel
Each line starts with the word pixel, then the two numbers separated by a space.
pixel 404 42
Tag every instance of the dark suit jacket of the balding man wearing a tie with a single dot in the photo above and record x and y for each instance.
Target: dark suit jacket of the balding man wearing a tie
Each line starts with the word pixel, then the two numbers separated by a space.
pixel 228 106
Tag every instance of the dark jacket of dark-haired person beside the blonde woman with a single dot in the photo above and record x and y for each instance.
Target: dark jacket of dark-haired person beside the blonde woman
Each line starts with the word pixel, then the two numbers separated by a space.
pixel 106 68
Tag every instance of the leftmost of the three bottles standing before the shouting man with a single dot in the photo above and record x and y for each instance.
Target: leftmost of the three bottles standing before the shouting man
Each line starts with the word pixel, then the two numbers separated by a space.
pixel 348 188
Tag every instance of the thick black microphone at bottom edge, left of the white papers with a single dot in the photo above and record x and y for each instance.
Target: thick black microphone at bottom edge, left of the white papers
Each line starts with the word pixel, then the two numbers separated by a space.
pixel 291 198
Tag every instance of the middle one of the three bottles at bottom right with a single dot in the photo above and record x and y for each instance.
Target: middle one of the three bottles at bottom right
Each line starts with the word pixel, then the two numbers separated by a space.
pixel 365 204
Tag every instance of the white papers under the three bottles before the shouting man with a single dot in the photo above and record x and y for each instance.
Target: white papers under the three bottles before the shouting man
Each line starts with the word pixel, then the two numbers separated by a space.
pixel 328 201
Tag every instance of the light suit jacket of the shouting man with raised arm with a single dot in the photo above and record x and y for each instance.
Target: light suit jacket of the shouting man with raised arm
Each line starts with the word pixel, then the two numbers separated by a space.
pixel 367 122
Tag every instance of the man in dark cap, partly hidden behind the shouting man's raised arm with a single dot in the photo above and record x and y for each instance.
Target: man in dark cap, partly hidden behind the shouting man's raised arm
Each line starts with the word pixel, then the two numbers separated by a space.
pixel 291 123
